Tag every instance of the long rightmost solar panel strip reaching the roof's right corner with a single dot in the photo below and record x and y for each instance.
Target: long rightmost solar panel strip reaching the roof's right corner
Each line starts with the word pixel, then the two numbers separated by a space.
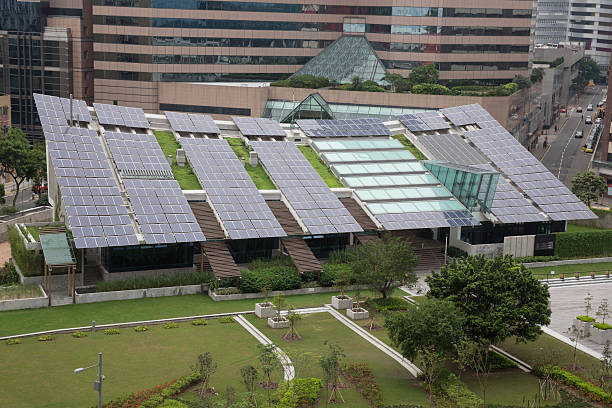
pixel 529 174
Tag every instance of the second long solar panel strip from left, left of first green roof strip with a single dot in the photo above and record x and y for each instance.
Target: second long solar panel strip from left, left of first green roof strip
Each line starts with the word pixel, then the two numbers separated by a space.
pixel 161 209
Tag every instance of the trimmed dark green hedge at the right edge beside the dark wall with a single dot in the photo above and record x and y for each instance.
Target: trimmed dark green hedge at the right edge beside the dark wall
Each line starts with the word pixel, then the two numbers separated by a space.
pixel 583 244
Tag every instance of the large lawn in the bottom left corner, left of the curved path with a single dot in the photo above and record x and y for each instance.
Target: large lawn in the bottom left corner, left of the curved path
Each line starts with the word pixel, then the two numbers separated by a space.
pixel 40 374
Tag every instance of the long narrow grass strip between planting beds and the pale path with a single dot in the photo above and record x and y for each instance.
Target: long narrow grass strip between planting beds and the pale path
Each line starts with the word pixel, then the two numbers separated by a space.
pixel 34 320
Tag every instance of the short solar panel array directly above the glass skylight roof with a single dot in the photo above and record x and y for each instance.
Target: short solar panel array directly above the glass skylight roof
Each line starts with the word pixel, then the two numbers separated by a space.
pixel 342 127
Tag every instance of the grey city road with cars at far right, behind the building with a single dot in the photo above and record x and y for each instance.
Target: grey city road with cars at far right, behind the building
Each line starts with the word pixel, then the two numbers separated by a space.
pixel 565 157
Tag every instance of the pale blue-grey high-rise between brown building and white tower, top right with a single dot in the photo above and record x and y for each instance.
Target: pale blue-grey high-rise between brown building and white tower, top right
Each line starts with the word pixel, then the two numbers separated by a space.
pixel 552 21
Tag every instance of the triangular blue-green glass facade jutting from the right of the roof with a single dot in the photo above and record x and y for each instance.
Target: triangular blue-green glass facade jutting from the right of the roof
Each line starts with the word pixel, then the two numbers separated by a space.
pixel 470 185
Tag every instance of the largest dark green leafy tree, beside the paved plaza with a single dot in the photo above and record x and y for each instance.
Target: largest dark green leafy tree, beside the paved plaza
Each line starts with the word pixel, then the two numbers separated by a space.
pixel 499 297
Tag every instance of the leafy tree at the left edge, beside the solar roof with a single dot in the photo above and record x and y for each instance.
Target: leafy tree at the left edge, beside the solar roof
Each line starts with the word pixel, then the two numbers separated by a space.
pixel 18 159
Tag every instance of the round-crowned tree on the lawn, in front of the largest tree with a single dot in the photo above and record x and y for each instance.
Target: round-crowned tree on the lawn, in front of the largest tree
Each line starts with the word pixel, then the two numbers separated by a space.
pixel 430 332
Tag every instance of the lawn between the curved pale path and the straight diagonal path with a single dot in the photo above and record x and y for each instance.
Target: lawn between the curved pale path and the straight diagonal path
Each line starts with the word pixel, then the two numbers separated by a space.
pixel 396 383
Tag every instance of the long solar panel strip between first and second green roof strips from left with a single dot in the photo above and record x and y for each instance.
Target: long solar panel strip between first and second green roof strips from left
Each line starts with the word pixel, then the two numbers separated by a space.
pixel 232 194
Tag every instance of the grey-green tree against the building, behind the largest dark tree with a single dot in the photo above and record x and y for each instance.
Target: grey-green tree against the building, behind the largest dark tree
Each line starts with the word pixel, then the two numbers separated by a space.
pixel 382 263
